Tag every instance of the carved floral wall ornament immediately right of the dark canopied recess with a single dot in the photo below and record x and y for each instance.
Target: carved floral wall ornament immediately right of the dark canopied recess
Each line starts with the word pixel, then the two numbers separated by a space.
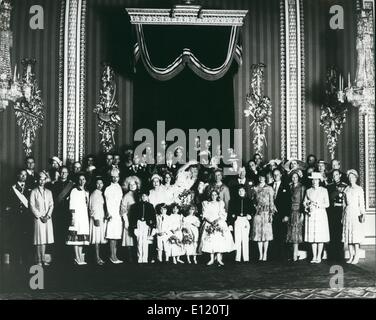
pixel 259 107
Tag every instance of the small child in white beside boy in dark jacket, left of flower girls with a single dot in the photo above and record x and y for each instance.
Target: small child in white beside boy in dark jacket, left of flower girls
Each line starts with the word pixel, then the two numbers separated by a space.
pixel 163 232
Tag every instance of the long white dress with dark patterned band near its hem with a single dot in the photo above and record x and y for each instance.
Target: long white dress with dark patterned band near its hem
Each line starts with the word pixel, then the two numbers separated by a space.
pixel 79 233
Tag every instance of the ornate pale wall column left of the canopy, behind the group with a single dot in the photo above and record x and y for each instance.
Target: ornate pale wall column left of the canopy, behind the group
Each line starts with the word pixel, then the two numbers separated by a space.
pixel 72 80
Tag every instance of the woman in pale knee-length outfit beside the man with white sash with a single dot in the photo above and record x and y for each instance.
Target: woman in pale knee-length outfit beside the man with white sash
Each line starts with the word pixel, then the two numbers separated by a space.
pixel 41 205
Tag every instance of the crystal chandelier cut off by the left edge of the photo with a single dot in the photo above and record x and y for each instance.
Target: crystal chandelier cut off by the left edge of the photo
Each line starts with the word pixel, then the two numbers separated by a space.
pixel 9 88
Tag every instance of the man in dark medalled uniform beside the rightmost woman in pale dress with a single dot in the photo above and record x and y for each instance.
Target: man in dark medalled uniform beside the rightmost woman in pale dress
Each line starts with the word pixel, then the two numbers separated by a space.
pixel 336 196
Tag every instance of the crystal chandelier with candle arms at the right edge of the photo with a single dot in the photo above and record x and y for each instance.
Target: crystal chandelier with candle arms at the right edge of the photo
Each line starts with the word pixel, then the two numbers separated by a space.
pixel 362 93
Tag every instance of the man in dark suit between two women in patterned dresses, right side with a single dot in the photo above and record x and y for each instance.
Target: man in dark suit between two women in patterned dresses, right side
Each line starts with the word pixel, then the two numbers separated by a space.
pixel 282 202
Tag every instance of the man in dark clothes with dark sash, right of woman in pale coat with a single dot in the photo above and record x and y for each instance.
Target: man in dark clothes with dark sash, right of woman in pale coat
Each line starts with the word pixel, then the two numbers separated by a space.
pixel 61 217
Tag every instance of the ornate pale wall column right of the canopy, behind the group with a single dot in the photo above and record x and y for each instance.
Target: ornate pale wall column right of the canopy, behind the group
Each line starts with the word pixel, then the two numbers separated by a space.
pixel 292 80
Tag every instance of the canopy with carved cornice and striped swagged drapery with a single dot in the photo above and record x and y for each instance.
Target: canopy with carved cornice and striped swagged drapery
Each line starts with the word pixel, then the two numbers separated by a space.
pixel 187 15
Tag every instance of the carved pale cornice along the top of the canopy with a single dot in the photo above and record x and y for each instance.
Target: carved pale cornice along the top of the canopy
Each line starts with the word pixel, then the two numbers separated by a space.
pixel 187 15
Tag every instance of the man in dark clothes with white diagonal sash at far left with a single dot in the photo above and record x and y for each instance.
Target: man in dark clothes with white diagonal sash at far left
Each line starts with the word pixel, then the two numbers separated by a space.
pixel 20 219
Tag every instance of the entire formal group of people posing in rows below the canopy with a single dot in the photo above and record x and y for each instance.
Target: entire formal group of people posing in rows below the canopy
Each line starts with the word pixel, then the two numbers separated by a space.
pixel 174 211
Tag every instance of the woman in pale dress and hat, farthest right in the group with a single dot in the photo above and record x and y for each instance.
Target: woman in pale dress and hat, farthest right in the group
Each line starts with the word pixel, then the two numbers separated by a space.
pixel 353 216
